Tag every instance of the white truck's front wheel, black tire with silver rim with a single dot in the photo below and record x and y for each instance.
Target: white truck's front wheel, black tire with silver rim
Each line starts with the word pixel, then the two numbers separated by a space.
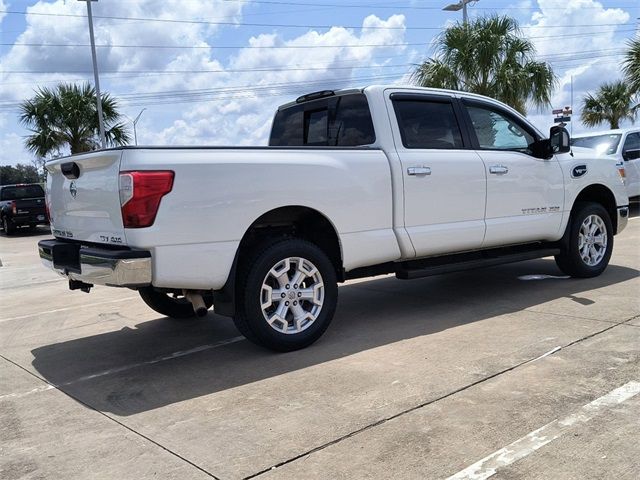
pixel 587 250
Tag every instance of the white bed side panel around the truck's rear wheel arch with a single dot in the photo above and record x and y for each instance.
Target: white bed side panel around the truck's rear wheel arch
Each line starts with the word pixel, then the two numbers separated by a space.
pixel 219 193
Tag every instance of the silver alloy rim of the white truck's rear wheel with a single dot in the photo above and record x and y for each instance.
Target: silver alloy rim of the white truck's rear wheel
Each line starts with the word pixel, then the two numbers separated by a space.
pixel 292 295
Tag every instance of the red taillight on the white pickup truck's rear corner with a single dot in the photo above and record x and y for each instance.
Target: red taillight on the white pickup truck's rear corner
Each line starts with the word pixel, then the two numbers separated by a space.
pixel 140 195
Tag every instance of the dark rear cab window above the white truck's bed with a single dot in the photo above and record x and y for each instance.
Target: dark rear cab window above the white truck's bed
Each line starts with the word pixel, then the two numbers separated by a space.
pixel 343 121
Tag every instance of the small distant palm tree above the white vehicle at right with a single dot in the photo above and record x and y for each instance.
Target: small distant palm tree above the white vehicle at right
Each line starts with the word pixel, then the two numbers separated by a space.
pixel 613 102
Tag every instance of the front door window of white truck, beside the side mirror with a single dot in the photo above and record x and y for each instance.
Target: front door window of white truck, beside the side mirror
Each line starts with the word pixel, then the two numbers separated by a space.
pixel 498 131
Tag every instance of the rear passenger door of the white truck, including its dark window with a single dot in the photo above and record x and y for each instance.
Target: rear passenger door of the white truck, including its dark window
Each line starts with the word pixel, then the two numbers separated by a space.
pixel 444 178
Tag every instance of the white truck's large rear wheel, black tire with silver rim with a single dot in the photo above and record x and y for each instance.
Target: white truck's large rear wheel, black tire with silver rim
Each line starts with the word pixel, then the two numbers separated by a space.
pixel 283 274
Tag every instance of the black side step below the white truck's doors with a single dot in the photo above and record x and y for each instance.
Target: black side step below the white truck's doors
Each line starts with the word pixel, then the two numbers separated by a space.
pixel 468 261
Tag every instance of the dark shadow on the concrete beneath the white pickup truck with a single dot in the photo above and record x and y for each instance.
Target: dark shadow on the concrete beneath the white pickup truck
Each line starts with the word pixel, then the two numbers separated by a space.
pixel 141 368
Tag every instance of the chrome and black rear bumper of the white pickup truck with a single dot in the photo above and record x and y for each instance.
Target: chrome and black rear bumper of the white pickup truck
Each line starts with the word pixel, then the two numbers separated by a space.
pixel 97 266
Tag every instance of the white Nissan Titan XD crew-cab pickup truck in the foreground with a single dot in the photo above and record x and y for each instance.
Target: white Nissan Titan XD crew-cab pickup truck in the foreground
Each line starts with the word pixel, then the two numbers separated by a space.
pixel 354 183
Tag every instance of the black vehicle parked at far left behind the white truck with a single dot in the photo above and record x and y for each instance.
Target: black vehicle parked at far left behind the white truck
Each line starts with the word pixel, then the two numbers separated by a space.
pixel 22 205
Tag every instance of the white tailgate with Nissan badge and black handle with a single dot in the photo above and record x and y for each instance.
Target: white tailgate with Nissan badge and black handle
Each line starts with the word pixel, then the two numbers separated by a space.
pixel 84 199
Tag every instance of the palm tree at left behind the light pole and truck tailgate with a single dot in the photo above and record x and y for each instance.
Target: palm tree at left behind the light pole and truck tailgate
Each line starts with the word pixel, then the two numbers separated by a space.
pixel 67 116
